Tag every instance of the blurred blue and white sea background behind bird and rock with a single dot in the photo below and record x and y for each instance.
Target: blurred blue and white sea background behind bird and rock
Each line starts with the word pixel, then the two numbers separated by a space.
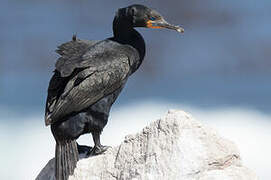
pixel 218 70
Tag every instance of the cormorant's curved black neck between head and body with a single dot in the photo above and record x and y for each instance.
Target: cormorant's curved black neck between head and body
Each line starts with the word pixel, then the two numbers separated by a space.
pixel 124 33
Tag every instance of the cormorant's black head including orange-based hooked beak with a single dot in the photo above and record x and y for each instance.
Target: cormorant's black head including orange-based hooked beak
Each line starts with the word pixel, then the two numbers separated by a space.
pixel 142 16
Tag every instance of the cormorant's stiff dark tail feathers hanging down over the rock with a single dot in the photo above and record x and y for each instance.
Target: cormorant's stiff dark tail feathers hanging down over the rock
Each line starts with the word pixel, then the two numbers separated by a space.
pixel 66 157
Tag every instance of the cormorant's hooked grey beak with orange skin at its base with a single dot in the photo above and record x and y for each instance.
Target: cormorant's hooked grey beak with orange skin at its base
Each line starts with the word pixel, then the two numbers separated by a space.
pixel 161 23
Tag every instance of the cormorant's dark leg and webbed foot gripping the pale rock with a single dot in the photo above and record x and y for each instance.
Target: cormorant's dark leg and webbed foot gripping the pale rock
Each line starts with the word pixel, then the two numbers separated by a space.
pixel 98 148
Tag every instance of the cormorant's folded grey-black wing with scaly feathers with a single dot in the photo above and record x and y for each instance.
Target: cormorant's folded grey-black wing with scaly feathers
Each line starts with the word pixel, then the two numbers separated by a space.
pixel 96 73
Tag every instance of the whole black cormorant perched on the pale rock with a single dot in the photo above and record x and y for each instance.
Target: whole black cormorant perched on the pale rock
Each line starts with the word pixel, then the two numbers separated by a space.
pixel 88 78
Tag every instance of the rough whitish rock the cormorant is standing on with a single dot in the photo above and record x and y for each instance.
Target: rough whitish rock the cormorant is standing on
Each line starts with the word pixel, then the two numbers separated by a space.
pixel 176 147
